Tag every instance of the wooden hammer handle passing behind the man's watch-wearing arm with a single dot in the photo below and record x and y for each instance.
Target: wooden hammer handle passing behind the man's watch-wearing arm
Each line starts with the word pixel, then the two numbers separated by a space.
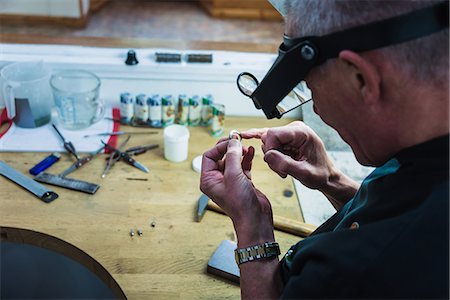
pixel 280 223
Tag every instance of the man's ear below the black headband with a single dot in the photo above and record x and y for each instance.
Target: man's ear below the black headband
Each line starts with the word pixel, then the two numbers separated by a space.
pixel 366 75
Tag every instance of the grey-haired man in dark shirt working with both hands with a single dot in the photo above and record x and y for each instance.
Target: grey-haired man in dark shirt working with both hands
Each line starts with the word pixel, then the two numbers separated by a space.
pixel 385 88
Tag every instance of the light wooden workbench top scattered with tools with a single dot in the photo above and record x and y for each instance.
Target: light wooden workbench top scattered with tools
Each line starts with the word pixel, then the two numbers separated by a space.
pixel 169 260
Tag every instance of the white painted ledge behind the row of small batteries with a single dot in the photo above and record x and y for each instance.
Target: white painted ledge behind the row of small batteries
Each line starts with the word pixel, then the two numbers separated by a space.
pixel 217 78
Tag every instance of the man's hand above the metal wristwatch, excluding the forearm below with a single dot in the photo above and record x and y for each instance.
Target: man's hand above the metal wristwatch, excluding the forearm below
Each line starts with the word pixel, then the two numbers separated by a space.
pixel 226 179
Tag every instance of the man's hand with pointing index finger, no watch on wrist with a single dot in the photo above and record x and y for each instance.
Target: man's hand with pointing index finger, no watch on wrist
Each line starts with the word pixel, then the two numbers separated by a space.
pixel 296 150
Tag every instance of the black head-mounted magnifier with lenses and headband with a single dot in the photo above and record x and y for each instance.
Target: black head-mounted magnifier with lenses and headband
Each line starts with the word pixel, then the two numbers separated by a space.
pixel 297 56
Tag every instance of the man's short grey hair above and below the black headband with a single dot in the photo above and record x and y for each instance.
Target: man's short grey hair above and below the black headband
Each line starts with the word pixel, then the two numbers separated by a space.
pixel 425 58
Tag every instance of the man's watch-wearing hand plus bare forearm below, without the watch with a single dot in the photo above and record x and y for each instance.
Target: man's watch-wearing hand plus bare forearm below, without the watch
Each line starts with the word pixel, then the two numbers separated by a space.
pixel 227 181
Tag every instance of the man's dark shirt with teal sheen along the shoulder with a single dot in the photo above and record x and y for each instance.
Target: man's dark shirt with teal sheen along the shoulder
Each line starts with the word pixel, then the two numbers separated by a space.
pixel 390 241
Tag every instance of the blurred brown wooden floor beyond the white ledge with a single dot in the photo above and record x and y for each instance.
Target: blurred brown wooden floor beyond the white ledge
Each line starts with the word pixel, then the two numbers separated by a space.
pixel 162 20
